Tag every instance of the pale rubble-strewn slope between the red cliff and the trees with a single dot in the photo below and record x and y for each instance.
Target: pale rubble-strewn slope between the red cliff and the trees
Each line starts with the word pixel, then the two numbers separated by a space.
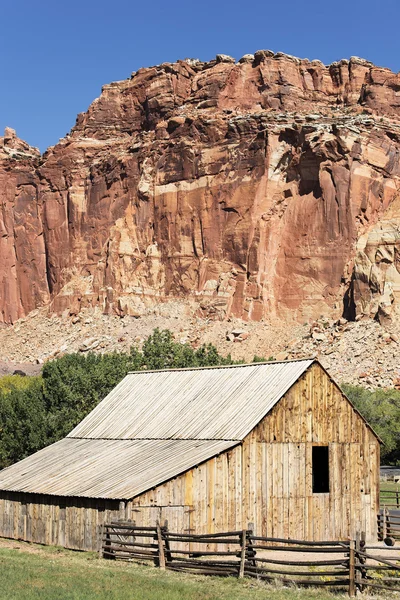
pixel 360 352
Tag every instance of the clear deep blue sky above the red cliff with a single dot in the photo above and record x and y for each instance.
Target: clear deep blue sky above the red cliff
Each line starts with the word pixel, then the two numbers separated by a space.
pixel 56 55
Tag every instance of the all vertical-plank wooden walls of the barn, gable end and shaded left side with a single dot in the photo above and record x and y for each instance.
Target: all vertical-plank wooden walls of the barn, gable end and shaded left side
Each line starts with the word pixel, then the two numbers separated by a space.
pixel 266 480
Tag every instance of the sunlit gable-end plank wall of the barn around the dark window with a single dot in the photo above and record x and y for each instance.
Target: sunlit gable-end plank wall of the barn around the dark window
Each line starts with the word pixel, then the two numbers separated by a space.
pixel 267 480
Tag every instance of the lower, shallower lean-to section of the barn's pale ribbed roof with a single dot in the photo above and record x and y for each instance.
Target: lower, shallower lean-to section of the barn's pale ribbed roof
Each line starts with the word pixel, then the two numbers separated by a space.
pixel 119 469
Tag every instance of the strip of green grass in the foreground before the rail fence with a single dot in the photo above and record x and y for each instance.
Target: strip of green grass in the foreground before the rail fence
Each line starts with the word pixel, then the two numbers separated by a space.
pixel 56 574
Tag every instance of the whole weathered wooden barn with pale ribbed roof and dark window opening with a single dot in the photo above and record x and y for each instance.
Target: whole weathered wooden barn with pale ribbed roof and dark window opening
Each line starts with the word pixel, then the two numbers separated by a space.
pixel 277 445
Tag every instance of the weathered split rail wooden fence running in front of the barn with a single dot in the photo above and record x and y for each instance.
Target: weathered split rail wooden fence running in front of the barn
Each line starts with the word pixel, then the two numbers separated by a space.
pixel 347 564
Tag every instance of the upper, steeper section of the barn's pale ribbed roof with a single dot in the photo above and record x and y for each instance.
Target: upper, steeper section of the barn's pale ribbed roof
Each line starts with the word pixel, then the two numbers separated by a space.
pixel 223 403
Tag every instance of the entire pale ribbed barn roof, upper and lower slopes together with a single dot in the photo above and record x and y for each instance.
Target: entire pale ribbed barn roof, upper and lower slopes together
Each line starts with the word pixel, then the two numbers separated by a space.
pixel 154 426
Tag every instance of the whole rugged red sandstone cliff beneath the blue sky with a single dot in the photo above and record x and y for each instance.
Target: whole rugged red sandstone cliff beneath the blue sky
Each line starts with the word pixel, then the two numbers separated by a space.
pixel 267 188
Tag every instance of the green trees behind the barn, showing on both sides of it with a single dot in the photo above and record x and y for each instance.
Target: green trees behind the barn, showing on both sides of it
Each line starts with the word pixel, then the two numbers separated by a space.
pixel 37 411
